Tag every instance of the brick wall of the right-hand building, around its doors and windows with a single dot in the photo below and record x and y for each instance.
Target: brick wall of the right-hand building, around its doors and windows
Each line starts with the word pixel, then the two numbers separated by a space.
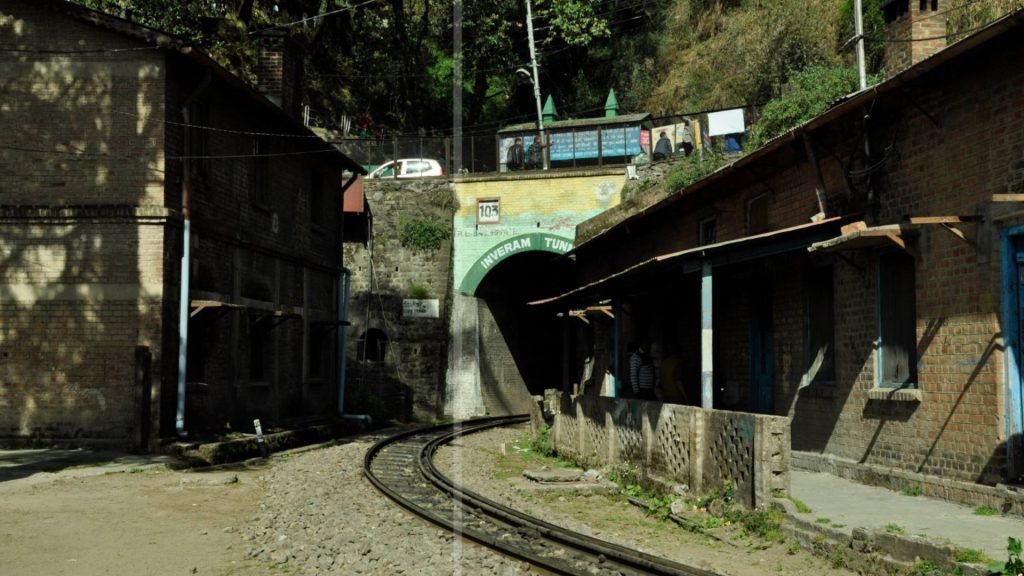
pixel 950 161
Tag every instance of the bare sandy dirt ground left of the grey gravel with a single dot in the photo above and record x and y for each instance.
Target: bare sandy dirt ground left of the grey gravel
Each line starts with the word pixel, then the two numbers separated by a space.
pixel 151 521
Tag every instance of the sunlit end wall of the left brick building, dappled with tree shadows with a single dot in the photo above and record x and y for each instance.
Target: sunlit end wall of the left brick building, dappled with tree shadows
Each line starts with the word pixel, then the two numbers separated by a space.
pixel 82 232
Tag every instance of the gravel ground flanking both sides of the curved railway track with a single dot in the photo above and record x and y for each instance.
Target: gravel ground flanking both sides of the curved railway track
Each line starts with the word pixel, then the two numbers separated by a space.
pixel 321 516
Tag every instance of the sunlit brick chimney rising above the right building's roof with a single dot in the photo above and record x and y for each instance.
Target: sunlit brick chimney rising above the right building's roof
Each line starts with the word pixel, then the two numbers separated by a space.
pixel 916 30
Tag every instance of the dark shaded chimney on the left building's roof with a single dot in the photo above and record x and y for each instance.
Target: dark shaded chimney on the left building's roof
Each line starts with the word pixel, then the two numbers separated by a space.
pixel 279 71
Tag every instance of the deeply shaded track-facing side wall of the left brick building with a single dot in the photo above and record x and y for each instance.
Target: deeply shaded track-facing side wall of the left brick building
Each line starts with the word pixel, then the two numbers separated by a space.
pixel 265 236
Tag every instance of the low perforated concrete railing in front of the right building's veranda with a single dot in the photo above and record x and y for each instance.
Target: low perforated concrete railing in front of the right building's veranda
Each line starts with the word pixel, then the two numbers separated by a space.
pixel 701 448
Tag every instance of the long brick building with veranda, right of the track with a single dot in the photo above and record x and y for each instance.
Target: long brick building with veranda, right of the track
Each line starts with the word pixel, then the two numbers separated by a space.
pixel 874 300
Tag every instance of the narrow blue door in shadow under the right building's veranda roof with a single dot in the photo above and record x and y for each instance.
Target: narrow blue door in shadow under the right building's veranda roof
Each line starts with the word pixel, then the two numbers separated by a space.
pixel 762 348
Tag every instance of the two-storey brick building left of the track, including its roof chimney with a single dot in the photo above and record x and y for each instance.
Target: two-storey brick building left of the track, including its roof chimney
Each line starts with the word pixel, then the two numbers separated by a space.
pixel 113 135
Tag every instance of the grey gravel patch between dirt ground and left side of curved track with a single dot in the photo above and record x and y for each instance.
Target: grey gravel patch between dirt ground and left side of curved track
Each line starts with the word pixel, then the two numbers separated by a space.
pixel 321 516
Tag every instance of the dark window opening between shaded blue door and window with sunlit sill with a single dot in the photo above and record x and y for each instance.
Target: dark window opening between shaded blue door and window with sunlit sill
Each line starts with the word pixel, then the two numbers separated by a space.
pixel 821 326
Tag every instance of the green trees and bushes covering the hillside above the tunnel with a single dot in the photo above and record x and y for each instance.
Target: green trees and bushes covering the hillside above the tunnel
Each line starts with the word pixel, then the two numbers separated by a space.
pixel 388 67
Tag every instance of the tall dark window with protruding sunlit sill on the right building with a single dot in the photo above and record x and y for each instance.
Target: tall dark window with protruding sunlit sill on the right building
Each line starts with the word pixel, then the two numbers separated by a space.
pixel 898 320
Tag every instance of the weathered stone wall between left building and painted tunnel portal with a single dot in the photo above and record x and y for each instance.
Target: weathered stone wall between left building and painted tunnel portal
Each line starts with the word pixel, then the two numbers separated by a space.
pixel 410 383
